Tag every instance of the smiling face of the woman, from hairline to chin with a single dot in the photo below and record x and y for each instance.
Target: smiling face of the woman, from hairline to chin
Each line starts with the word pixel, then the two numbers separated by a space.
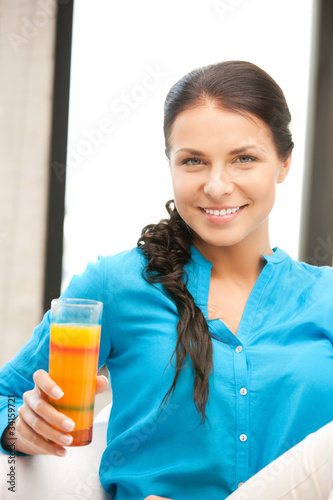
pixel 224 169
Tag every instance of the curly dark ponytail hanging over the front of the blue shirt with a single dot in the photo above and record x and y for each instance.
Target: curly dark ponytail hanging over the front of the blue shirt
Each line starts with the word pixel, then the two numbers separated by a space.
pixel 166 246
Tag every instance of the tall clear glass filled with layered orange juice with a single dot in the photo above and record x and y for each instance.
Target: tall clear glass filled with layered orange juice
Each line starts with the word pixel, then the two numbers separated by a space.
pixel 74 350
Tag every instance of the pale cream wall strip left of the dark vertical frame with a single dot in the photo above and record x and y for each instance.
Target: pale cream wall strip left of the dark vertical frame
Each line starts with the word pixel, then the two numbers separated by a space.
pixel 27 32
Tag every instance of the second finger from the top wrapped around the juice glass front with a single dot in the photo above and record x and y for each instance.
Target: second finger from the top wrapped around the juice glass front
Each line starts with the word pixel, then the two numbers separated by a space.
pixel 46 411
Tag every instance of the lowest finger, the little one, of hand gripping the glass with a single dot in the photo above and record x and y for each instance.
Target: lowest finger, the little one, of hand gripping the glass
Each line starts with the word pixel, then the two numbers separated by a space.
pixel 34 444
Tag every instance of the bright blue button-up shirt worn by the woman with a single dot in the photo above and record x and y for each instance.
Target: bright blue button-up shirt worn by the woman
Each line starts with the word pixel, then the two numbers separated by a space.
pixel 271 385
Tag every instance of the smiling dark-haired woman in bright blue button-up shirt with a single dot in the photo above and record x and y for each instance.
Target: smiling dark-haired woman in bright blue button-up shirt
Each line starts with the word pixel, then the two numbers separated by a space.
pixel 208 333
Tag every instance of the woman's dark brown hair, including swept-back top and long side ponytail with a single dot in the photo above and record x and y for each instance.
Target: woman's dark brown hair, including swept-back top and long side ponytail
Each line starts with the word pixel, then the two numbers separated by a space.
pixel 240 87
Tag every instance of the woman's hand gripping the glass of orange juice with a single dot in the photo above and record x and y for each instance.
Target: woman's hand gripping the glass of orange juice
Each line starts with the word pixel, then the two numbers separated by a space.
pixel 33 426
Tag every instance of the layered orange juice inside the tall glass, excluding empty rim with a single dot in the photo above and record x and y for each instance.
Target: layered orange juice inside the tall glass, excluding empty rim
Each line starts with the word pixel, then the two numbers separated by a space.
pixel 74 350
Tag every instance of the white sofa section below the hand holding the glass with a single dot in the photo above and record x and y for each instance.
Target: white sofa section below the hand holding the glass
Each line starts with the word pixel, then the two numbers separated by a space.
pixel 47 477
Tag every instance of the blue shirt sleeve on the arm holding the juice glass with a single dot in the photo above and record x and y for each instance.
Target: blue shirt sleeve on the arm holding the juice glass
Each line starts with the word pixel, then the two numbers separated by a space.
pixel 16 376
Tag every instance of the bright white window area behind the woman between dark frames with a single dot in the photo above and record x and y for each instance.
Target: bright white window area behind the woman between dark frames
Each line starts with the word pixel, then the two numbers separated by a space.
pixel 118 179
